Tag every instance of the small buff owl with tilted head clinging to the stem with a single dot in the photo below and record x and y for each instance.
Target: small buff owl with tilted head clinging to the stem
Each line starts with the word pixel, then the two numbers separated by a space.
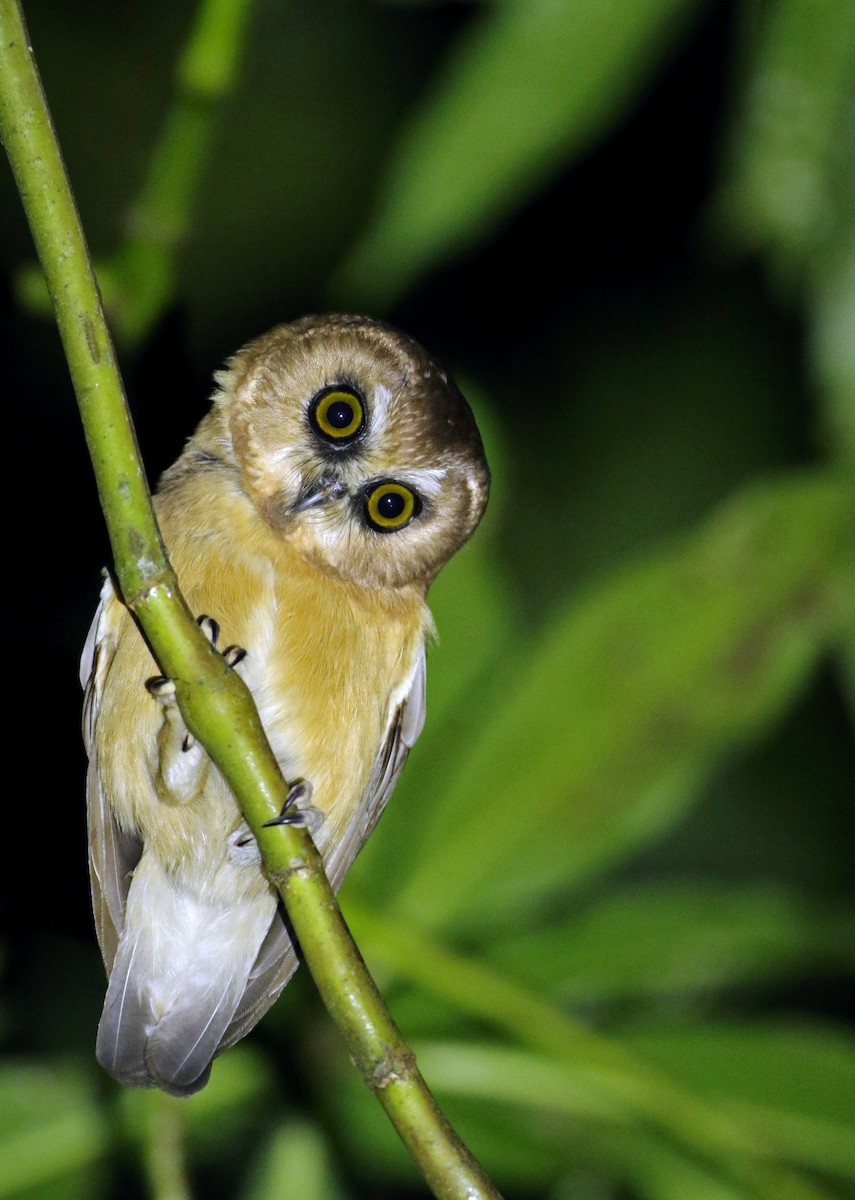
pixel 338 471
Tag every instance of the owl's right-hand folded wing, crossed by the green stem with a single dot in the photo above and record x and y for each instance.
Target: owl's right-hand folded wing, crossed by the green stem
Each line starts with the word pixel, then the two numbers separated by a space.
pixel 277 959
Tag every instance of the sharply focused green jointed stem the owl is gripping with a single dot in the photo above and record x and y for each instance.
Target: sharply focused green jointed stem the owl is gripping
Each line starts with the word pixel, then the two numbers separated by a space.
pixel 214 701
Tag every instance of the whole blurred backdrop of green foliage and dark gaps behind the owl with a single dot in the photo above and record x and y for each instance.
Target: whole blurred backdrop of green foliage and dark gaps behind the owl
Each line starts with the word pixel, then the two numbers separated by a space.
pixel 613 899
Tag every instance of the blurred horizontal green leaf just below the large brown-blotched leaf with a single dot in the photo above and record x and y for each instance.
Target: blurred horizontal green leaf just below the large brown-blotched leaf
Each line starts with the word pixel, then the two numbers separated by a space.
pixel 666 938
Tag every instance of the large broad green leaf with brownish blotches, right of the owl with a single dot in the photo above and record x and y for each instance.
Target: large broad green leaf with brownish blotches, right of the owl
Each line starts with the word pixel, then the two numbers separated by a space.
pixel 596 737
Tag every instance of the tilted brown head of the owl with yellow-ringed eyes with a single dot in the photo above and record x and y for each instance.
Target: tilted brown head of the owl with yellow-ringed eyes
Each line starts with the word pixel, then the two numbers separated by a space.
pixel 354 446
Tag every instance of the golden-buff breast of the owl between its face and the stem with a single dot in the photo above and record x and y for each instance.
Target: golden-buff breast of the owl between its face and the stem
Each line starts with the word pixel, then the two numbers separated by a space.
pixel 328 661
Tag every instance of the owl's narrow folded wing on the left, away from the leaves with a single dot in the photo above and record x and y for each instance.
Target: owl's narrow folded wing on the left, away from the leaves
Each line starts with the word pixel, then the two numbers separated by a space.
pixel 112 854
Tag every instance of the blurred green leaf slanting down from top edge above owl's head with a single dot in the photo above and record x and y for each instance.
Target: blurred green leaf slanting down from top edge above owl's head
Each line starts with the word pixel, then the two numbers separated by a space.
pixel 530 87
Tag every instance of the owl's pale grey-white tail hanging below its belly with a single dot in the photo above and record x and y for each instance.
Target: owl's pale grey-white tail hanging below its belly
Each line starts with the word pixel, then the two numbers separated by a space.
pixel 180 974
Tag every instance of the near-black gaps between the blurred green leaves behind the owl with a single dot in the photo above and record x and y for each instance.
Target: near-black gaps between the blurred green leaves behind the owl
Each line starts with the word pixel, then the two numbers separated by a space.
pixel 639 363
